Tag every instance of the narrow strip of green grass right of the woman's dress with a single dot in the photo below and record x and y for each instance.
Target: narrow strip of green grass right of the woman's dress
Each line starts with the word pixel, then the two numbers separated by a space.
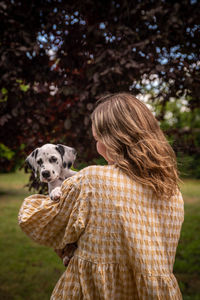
pixel 187 264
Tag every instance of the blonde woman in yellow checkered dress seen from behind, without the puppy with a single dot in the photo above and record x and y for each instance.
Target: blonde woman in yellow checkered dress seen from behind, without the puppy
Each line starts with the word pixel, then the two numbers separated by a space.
pixel 126 217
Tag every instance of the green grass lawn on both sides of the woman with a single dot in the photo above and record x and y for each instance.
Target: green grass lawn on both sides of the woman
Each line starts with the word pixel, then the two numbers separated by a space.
pixel 29 271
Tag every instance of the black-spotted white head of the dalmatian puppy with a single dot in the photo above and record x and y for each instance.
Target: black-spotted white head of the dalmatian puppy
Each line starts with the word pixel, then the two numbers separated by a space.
pixel 50 159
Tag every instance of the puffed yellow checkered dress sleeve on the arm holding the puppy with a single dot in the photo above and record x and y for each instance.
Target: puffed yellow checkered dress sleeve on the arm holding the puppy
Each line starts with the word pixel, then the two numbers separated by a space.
pixel 56 224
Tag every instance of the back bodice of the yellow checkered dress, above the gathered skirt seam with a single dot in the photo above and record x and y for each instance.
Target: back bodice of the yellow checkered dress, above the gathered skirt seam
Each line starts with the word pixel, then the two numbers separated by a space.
pixel 126 214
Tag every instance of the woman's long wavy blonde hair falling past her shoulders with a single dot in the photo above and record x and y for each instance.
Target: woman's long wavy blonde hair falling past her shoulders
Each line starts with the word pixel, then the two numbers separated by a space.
pixel 135 142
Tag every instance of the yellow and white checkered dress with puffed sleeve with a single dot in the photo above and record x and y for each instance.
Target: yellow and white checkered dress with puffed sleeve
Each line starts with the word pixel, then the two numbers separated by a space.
pixel 126 238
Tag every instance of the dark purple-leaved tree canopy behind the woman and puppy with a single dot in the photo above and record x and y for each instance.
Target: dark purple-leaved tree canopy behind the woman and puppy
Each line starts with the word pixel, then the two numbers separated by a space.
pixel 57 57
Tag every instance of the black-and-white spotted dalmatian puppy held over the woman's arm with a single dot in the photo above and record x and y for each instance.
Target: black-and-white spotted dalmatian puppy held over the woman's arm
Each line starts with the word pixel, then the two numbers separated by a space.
pixel 53 163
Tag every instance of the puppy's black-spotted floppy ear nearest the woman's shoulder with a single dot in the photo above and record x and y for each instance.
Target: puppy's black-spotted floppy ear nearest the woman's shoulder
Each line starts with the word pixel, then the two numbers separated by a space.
pixel 68 155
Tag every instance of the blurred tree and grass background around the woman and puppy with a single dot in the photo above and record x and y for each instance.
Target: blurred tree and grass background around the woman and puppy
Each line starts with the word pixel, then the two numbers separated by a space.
pixel 56 59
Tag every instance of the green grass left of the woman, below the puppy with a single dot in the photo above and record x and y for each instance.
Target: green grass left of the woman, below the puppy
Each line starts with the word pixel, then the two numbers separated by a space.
pixel 28 271
